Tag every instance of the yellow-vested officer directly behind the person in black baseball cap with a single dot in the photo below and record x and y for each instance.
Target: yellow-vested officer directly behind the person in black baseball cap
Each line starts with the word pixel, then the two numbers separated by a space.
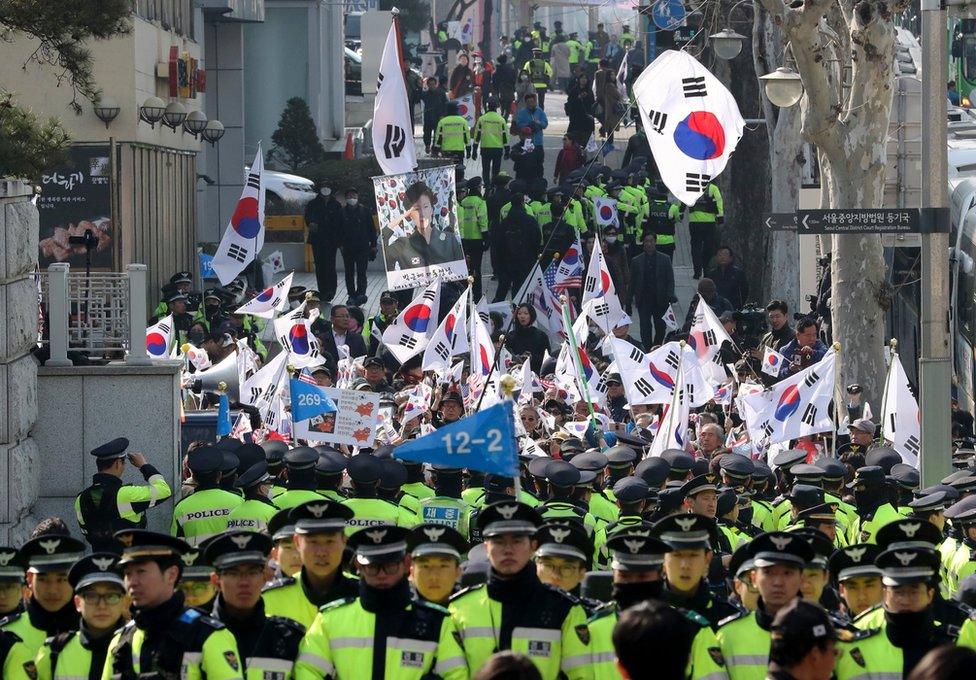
pixel 779 558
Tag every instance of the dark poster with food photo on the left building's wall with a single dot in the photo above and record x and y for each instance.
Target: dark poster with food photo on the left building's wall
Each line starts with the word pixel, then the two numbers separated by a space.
pixel 76 197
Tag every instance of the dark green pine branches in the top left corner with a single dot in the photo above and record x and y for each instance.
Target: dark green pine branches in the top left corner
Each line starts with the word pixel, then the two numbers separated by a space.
pixel 61 30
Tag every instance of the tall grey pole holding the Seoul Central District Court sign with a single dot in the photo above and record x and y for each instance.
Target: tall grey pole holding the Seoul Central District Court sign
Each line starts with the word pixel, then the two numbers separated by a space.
pixel 935 365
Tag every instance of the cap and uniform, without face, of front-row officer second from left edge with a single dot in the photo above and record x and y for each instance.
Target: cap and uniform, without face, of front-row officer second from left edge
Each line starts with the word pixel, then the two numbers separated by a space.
pixel 50 554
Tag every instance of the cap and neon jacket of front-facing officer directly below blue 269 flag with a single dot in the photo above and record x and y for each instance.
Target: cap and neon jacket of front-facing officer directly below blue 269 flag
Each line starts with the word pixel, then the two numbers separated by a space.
pixel 294 597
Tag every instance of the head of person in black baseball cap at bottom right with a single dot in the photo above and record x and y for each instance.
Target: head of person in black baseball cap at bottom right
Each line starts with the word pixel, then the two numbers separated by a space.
pixel 803 643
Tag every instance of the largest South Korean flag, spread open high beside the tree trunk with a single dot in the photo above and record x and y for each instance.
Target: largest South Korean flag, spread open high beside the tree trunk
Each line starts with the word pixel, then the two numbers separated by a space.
pixel 692 120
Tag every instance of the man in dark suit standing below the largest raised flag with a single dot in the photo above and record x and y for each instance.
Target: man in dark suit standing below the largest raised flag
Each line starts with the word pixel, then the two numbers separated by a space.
pixel 652 290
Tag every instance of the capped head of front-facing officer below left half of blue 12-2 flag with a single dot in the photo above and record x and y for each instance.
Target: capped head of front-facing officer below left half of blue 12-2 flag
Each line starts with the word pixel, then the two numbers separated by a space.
pixel 436 552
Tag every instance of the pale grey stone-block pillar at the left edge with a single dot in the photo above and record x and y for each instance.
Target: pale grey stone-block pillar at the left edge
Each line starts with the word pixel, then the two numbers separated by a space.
pixel 19 477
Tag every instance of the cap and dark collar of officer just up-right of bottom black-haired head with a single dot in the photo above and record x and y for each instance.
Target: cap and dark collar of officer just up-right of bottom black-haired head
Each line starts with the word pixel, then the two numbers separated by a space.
pixel 689 531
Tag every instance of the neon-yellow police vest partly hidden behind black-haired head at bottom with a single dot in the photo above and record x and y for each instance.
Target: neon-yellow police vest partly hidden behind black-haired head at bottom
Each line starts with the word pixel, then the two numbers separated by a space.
pixel 705 661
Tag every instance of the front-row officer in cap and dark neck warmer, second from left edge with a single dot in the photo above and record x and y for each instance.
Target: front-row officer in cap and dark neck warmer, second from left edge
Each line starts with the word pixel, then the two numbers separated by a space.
pixel 50 609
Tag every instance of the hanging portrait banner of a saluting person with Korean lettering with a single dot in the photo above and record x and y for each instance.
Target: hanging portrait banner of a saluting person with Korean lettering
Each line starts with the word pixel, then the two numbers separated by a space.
pixel 419 231
